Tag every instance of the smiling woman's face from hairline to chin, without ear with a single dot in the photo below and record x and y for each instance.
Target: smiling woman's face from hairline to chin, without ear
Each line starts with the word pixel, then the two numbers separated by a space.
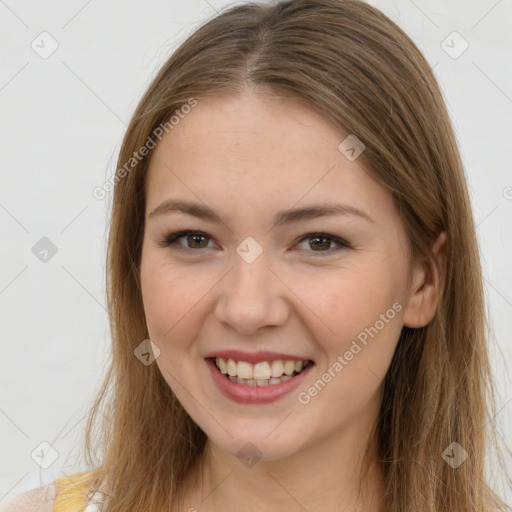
pixel 329 289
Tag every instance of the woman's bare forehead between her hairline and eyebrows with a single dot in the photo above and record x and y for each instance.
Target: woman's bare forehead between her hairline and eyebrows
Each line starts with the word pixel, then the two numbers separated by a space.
pixel 233 151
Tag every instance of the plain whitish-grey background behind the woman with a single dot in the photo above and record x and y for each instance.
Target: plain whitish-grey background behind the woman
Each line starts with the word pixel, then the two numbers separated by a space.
pixel 62 120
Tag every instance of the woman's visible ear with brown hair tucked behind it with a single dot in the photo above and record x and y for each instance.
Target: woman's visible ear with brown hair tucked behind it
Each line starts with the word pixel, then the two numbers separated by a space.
pixel 427 285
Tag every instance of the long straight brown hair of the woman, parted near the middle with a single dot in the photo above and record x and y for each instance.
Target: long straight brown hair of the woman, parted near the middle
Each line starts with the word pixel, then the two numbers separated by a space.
pixel 357 68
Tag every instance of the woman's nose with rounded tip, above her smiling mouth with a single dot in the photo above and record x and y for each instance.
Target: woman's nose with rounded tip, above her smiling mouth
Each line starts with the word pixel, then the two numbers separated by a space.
pixel 251 296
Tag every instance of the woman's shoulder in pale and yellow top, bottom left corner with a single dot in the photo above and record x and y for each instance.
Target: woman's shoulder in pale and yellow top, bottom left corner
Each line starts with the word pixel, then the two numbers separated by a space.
pixel 68 493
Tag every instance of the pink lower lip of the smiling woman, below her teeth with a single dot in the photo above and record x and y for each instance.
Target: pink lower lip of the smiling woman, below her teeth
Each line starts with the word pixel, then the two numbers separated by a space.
pixel 254 394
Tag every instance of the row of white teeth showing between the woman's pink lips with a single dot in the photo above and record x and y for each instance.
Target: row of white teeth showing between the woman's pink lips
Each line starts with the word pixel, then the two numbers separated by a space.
pixel 260 374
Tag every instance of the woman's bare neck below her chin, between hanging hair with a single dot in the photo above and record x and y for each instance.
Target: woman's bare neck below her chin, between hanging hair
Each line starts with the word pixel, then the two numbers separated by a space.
pixel 328 475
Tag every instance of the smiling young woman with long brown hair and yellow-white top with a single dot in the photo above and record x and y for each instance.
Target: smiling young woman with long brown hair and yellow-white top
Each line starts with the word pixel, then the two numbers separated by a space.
pixel 294 281
